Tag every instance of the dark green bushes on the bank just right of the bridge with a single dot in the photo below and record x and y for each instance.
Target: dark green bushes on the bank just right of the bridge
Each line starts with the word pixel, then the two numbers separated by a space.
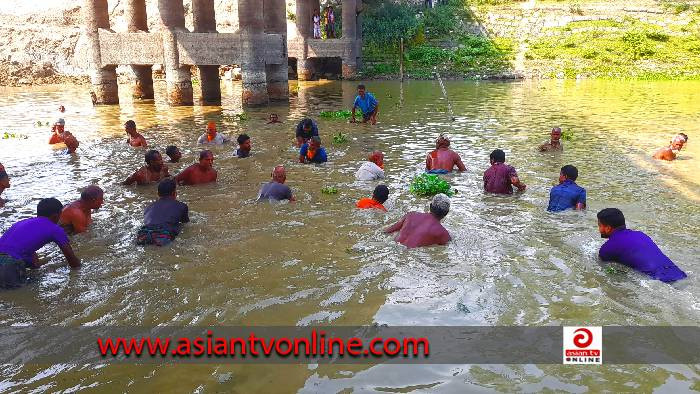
pixel 435 39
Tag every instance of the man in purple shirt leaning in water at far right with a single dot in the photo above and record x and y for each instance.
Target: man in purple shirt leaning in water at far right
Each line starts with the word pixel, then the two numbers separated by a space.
pixel 634 248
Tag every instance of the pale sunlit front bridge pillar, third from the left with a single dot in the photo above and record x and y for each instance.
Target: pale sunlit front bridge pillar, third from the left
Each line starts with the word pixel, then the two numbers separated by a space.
pixel 177 76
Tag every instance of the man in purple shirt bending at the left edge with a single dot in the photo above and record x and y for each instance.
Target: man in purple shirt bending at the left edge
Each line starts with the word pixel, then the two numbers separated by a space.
pixel 19 244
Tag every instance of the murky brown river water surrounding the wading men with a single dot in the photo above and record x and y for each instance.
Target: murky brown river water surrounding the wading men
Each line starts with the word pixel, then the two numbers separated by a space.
pixel 322 262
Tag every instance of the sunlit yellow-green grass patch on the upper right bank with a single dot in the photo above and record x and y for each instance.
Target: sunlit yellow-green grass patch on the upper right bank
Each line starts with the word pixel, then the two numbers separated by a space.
pixel 627 49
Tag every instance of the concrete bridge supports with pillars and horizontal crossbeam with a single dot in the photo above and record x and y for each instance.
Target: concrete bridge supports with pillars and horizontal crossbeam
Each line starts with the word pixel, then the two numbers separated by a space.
pixel 260 46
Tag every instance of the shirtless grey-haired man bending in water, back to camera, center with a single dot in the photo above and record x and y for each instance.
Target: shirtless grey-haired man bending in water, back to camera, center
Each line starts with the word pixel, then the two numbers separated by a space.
pixel 424 229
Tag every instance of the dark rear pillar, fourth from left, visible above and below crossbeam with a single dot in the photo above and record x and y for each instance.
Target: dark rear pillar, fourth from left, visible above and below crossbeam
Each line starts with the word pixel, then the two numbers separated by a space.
pixel 204 18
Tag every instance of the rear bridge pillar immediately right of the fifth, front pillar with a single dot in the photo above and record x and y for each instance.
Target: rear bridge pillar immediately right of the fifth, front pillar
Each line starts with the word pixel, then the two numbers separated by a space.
pixel 277 74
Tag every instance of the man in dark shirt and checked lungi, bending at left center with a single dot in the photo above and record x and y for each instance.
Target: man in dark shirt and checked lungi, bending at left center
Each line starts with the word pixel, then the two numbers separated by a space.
pixel 163 219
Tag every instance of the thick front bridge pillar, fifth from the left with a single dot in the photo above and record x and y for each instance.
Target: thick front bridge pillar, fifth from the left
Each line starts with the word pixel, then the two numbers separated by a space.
pixel 252 28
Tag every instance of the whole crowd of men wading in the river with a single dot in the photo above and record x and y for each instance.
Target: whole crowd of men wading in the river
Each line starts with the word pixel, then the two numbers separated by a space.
pixel 164 218
